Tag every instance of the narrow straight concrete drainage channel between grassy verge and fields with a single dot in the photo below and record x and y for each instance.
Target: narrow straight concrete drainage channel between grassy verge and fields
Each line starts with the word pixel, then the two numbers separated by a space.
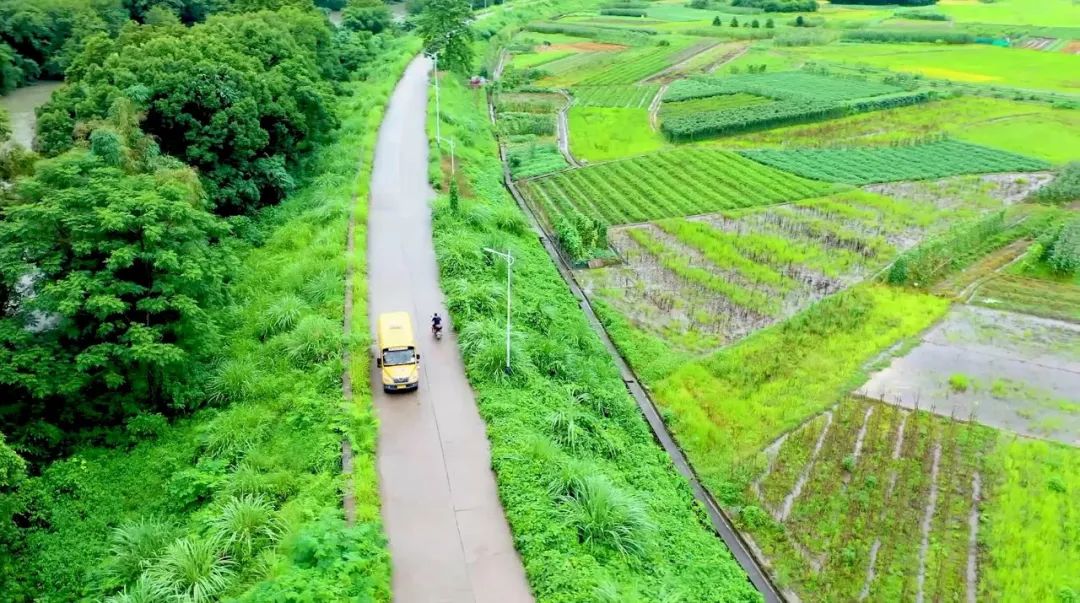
pixel 722 524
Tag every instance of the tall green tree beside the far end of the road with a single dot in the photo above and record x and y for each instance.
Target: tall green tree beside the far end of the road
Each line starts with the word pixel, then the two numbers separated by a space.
pixel 444 28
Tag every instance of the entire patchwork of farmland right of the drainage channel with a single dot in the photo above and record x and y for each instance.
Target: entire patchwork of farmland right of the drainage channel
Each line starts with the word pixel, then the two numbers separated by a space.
pixel 869 352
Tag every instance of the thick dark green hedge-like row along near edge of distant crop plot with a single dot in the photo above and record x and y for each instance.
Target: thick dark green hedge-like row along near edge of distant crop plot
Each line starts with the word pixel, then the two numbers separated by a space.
pixel 781 113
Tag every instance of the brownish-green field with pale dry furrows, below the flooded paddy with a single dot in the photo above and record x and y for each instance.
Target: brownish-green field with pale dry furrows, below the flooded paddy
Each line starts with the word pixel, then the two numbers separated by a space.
pixel 867 492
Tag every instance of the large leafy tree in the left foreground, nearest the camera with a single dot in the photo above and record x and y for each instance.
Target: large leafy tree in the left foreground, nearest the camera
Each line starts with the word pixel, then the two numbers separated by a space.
pixel 110 259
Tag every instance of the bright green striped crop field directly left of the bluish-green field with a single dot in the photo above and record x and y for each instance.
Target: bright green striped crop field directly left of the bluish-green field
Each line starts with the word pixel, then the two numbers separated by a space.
pixel 671 184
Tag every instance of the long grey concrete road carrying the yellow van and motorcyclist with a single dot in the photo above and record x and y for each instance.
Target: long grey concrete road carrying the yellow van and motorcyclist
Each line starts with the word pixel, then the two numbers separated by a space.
pixel 450 541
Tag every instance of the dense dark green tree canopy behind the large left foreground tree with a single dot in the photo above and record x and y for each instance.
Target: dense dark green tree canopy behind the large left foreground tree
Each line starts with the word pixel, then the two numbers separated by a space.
pixel 241 98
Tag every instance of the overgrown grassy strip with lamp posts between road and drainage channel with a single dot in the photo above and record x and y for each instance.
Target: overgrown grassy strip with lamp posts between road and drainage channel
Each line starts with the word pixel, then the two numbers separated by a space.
pixel 591 500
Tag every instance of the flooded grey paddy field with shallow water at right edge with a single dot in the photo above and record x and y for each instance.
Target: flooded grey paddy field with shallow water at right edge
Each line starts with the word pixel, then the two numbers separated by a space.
pixel 1004 370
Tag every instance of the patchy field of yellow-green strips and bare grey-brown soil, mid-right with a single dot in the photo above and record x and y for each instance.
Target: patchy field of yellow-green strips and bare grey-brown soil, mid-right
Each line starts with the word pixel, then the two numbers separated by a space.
pixel 703 283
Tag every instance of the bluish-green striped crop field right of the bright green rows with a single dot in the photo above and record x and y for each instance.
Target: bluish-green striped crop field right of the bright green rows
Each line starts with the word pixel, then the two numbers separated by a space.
pixel 913 163
